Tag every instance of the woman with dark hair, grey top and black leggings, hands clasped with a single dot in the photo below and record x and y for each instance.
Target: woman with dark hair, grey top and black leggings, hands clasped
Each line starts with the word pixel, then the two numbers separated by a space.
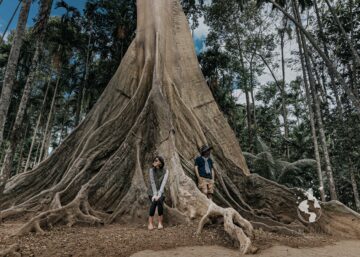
pixel 158 176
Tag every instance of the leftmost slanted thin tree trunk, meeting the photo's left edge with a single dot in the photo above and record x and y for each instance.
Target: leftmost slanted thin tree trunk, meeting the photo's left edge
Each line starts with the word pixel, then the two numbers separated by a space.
pixel 10 74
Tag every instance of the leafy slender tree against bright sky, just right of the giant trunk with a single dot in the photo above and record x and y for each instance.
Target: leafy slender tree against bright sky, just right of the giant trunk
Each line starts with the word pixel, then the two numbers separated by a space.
pixel 242 31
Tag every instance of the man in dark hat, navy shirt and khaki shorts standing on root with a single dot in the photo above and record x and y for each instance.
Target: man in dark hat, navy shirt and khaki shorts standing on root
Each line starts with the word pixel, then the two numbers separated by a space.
pixel 205 172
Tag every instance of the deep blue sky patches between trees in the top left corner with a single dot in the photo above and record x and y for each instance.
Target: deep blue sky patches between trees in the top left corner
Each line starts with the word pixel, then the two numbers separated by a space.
pixel 8 7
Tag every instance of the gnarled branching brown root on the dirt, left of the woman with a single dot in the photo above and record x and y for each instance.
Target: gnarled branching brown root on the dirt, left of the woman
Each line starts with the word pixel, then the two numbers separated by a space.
pixel 77 211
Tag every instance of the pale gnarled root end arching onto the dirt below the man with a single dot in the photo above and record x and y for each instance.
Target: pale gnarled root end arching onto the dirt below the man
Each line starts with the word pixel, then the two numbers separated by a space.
pixel 236 226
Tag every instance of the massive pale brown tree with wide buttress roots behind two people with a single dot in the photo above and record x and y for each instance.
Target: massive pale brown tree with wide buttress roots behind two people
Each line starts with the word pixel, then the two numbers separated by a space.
pixel 158 103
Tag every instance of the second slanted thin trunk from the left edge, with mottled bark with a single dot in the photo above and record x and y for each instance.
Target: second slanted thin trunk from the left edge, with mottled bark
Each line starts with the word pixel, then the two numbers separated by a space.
pixel 40 30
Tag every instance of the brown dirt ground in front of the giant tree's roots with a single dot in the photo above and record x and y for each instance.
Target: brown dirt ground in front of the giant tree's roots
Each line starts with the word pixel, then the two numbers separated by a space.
pixel 121 240
